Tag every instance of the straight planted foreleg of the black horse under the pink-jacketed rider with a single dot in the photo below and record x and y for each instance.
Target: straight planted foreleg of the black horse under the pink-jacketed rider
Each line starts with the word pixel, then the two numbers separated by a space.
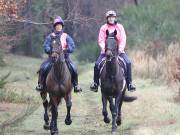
pixel 114 114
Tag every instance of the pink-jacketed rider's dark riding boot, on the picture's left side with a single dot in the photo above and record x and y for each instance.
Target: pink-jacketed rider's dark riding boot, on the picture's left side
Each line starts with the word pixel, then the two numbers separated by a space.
pixel 94 85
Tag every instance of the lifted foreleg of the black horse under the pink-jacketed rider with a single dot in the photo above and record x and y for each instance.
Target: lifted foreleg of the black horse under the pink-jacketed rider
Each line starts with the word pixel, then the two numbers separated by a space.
pixel 104 110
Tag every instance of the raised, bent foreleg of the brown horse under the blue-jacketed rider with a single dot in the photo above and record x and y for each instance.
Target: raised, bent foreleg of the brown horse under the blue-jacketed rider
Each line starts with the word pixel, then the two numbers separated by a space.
pixel 68 120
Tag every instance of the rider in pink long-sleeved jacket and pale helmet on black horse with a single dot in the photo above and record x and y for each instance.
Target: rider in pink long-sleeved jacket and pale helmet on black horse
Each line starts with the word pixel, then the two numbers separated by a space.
pixel 111 26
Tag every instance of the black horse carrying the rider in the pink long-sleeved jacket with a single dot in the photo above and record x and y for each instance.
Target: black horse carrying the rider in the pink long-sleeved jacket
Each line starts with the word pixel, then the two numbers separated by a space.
pixel 113 84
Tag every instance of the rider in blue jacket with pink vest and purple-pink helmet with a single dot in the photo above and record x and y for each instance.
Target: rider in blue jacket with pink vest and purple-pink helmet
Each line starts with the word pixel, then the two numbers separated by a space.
pixel 68 46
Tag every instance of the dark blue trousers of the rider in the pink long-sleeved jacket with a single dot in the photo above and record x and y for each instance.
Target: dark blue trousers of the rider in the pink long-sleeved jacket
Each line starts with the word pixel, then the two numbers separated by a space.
pixel 126 59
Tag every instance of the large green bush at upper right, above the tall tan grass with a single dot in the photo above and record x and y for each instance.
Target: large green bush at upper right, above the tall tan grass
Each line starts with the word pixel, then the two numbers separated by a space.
pixel 151 20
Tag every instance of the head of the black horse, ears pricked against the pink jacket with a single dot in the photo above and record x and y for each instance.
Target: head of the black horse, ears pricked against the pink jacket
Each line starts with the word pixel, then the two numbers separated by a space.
pixel 111 47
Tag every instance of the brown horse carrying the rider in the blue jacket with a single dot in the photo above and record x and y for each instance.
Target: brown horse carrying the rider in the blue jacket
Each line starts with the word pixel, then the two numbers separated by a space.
pixel 58 86
